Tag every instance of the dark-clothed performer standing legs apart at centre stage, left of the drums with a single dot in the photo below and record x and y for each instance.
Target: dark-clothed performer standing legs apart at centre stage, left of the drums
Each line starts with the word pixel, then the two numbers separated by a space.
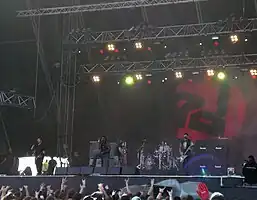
pixel 103 152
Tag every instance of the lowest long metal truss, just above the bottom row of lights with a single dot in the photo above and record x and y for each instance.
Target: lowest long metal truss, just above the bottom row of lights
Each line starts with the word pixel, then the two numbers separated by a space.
pixel 233 61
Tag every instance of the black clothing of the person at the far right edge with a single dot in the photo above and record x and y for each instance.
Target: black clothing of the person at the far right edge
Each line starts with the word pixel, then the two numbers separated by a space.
pixel 250 172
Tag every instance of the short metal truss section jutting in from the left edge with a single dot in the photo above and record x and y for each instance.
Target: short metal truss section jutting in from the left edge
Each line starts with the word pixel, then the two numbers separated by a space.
pixel 16 100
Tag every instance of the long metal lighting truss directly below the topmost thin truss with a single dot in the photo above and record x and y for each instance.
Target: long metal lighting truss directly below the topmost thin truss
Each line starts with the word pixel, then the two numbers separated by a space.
pixel 176 31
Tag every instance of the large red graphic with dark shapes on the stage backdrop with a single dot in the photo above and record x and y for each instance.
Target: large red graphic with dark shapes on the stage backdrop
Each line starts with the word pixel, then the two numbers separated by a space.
pixel 198 106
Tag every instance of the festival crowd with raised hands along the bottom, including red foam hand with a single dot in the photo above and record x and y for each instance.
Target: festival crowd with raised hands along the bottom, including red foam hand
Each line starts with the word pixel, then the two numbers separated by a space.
pixel 104 192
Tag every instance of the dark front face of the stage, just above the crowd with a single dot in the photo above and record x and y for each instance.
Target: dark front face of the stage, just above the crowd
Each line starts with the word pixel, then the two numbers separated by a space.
pixel 229 186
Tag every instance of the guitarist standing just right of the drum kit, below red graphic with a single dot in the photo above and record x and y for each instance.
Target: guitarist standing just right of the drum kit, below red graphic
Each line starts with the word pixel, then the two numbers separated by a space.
pixel 185 149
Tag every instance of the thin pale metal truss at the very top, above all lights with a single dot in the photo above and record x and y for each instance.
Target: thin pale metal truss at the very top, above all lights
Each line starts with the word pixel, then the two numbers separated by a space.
pixel 99 7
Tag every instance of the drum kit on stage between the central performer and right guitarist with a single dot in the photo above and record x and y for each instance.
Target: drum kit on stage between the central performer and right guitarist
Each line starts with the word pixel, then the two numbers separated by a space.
pixel 162 158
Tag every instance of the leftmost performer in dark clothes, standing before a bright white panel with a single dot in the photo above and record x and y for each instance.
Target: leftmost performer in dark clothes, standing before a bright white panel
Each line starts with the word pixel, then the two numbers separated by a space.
pixel 39 153
